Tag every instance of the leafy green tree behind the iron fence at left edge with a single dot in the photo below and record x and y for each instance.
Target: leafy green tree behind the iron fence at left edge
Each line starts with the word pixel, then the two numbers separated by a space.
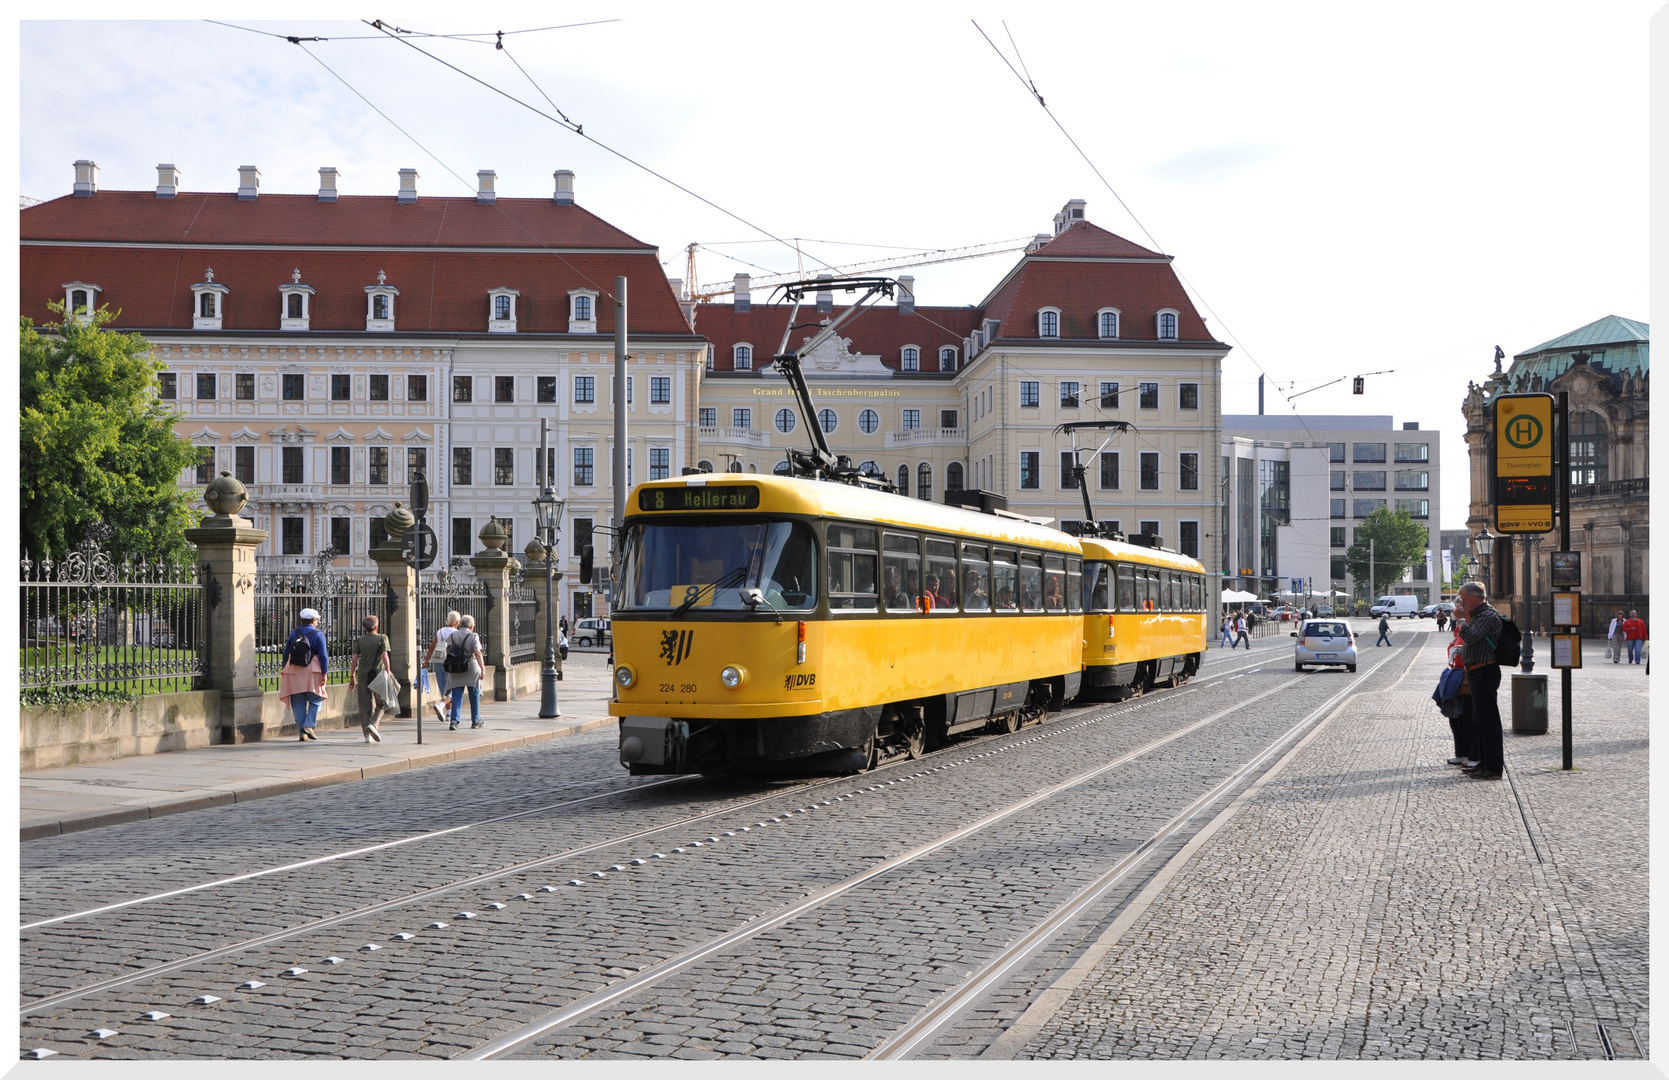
pixel 98 445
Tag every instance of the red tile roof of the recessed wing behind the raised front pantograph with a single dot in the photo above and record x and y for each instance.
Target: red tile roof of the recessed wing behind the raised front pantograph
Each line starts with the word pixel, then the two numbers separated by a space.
pixel 880 331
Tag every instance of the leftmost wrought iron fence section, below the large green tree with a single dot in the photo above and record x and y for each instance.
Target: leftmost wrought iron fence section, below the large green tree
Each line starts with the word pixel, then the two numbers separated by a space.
pixel 116 623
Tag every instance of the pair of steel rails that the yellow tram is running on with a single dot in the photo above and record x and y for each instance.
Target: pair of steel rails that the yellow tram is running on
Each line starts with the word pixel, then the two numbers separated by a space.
pixel 1082 717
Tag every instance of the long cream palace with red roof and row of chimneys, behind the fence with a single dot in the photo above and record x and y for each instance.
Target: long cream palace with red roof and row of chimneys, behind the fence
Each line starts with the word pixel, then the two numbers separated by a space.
pixel 321 348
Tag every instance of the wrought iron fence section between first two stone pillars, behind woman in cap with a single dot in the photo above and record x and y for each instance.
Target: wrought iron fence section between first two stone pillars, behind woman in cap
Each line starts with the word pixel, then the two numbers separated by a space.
pixel 341 602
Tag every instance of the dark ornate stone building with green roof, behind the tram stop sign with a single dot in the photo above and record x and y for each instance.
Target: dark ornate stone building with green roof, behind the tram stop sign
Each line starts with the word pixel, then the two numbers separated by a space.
pixel 1606 370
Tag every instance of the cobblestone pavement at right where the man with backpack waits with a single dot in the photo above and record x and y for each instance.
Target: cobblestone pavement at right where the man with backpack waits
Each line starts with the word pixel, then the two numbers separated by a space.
pixel 1368 902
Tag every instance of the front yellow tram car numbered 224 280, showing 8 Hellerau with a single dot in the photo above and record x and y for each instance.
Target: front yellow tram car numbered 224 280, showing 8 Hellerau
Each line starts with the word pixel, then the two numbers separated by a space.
pixel 770 623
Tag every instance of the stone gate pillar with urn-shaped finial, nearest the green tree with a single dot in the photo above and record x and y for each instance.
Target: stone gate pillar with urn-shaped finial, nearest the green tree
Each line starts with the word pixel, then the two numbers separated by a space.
pixel 226 548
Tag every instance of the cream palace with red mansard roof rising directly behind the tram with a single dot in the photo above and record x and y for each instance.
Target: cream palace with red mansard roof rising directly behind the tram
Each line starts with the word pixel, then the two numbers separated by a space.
pixel 1087 326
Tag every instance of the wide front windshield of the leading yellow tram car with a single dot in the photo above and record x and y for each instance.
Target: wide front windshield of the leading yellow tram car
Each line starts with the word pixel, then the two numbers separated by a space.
pixel 705 567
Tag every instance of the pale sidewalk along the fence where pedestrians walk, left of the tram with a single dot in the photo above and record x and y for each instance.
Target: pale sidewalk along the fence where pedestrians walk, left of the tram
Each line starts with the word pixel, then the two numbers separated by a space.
pixel 83 797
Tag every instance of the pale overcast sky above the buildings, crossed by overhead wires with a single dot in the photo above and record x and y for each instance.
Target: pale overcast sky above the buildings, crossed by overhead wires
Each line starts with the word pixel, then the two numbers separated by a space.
pixel 1346 189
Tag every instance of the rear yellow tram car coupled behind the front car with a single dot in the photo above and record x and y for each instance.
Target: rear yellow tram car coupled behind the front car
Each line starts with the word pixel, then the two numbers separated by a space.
pixel 1144 618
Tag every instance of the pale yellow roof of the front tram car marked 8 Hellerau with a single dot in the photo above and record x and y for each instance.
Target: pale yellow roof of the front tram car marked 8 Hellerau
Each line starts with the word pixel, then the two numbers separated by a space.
pixel 784 495
